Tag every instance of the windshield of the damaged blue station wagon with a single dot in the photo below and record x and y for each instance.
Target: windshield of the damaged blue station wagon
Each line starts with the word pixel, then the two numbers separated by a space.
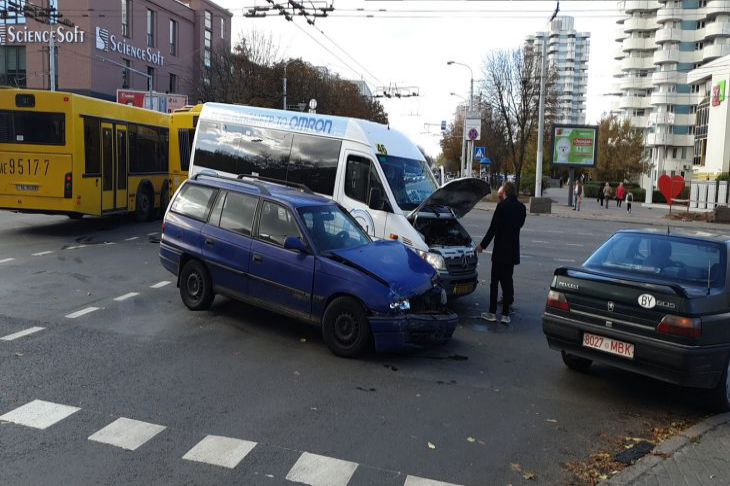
pixel 331 228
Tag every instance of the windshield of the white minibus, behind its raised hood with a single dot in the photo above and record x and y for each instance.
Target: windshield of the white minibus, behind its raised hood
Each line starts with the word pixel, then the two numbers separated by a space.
pixel 410 180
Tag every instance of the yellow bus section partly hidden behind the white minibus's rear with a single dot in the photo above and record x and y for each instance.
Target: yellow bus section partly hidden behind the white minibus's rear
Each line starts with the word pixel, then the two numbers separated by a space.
pixel 182 132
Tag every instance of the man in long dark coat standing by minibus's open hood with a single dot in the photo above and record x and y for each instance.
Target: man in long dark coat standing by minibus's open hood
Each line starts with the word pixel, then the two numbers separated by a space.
pixel 507 222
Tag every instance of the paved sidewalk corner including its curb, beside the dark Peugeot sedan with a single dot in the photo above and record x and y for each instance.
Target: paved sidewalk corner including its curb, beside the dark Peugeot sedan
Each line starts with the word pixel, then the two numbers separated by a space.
pixel 698 456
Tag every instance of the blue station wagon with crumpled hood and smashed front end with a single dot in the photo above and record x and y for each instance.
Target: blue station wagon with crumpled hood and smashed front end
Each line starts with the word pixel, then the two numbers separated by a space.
pixel 288 250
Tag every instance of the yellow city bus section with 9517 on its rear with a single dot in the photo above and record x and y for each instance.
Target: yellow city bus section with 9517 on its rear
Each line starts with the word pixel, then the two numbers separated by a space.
pixel 62 153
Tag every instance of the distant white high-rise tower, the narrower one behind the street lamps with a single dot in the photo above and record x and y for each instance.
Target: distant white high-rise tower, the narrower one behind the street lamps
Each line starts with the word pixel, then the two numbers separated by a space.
pixel 567 53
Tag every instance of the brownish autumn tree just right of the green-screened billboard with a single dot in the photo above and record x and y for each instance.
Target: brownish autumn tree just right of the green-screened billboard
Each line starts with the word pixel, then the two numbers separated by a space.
pixel 621 154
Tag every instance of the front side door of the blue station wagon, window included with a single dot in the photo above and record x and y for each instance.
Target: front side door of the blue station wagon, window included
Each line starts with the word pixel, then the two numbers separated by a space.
pixel 280 278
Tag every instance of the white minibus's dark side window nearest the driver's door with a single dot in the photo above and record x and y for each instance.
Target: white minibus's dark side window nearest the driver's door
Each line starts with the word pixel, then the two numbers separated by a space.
pixel 313 162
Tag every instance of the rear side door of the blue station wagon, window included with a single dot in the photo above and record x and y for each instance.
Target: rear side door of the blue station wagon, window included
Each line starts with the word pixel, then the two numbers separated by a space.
pixel 227 242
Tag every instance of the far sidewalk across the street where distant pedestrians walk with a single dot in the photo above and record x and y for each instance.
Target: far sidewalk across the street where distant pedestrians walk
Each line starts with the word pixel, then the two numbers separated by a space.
pixel 591 210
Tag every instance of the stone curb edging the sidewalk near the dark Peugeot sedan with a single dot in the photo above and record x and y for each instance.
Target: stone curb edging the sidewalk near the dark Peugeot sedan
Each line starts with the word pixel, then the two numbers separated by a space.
pixel 665 449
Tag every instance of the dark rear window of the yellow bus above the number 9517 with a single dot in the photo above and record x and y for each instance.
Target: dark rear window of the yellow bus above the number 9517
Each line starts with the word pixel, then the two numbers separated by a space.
pixel 31 127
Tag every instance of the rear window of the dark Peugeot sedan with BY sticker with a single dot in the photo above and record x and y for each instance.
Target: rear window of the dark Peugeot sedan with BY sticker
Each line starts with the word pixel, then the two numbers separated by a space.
pixel 680 260
